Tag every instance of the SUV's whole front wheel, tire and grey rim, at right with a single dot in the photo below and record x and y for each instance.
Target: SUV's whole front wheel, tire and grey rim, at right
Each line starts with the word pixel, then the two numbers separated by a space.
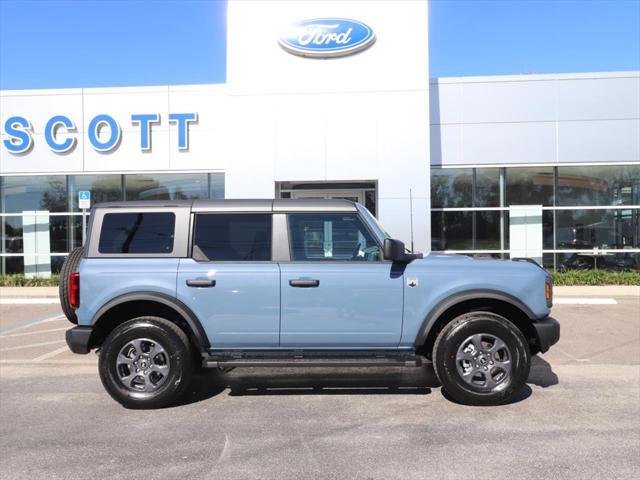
pixel 481 359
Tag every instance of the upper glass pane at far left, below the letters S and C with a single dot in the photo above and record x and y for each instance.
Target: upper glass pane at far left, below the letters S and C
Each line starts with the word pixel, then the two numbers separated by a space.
pixel 38 192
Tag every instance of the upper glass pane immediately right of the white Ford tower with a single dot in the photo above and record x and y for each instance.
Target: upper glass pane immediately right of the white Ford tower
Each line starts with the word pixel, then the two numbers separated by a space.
pixel 451 187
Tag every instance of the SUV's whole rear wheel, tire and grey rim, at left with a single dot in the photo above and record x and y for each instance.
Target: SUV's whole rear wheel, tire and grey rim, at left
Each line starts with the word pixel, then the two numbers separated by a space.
pixel 146 363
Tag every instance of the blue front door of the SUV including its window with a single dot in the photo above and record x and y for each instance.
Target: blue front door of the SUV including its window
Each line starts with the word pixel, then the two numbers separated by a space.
pixel 336 290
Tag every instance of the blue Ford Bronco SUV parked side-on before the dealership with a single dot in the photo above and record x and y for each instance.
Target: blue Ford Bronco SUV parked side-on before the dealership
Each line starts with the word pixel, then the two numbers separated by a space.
pixel 164 287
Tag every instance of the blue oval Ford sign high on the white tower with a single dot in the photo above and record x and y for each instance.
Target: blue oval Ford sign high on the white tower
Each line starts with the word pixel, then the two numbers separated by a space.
pixel 327 37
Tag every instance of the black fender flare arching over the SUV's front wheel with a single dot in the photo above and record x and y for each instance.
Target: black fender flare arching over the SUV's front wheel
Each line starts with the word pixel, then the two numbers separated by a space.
pixel 457 304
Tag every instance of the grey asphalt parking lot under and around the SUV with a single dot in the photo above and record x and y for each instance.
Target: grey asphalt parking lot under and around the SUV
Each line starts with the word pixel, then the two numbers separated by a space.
pixel 578 416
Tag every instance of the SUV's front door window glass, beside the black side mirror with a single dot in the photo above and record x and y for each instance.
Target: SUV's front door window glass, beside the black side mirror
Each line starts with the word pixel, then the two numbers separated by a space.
pixel 331 237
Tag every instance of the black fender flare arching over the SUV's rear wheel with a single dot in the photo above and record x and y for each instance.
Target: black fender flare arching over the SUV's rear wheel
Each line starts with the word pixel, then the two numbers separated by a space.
pixel 131 305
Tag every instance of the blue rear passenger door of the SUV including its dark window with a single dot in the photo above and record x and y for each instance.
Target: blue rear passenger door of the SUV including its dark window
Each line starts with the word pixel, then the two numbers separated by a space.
pixel 230 282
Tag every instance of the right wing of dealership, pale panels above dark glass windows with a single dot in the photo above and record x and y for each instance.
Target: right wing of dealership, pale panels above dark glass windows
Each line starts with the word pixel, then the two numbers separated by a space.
pixel 540 166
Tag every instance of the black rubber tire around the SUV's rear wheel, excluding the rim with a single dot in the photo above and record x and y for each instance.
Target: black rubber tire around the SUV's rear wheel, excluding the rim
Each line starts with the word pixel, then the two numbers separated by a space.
pixel 171 338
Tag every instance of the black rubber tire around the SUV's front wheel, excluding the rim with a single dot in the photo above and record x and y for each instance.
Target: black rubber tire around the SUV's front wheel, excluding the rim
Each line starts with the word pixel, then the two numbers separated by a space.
pixel 450 340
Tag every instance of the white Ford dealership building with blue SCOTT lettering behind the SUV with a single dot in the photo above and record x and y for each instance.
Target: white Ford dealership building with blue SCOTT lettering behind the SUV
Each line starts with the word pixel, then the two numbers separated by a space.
pixel 334 100
